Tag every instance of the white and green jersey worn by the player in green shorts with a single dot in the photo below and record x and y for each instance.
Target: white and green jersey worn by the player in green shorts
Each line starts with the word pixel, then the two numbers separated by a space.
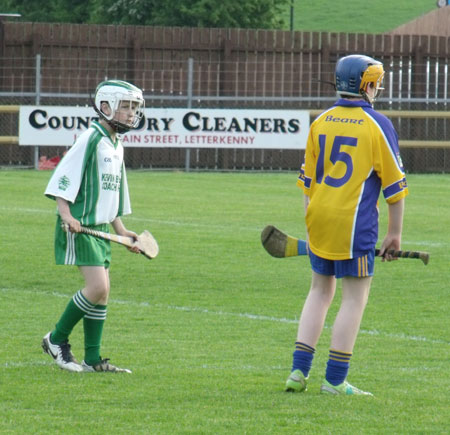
pixel 92 178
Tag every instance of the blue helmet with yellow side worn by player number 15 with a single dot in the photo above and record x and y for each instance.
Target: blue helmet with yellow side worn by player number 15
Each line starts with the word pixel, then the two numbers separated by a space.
pixel 355 73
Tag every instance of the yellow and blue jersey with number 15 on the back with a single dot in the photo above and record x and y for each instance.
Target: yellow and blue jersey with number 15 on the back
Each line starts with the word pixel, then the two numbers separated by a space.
pixel 351 155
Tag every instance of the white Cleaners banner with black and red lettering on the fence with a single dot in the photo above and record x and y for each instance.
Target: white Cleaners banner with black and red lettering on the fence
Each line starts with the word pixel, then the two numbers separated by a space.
pixel 181 128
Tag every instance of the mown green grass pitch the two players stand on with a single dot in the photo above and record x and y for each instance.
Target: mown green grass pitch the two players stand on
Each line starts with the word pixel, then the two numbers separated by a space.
pixel 209 326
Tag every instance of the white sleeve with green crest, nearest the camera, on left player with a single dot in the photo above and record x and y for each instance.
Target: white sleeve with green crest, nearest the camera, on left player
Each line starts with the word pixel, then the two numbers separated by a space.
pixel 66 179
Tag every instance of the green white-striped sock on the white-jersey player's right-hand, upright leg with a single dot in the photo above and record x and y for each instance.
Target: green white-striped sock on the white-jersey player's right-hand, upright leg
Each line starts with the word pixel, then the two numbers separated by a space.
pixel 93 329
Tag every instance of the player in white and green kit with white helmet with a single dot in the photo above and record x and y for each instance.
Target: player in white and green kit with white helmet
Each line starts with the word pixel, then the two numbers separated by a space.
pixel 90 188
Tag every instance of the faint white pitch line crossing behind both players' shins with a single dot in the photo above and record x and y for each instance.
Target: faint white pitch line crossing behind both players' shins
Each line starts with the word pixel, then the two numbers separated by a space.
pixel 257 317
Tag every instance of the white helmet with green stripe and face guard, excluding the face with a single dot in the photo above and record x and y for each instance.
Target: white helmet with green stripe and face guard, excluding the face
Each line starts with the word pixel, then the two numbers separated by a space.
pixel 114 92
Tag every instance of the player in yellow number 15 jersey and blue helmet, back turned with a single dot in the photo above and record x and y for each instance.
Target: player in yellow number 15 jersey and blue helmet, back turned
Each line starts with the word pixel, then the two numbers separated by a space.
pixel 351 156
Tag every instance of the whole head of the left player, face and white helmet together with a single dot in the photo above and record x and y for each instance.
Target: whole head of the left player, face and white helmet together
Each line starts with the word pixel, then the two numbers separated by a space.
pixel 123 100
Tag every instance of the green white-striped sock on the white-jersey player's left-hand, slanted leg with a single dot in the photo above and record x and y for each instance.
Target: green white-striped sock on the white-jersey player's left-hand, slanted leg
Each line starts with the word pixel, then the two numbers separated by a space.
pixel 77 307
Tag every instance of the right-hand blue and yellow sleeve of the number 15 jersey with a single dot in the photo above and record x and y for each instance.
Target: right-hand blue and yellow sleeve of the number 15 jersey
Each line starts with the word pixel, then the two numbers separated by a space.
pixel 387 161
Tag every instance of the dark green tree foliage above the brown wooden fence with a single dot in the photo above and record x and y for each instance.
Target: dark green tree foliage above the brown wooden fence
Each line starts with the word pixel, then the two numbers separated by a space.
pixel 264 14
